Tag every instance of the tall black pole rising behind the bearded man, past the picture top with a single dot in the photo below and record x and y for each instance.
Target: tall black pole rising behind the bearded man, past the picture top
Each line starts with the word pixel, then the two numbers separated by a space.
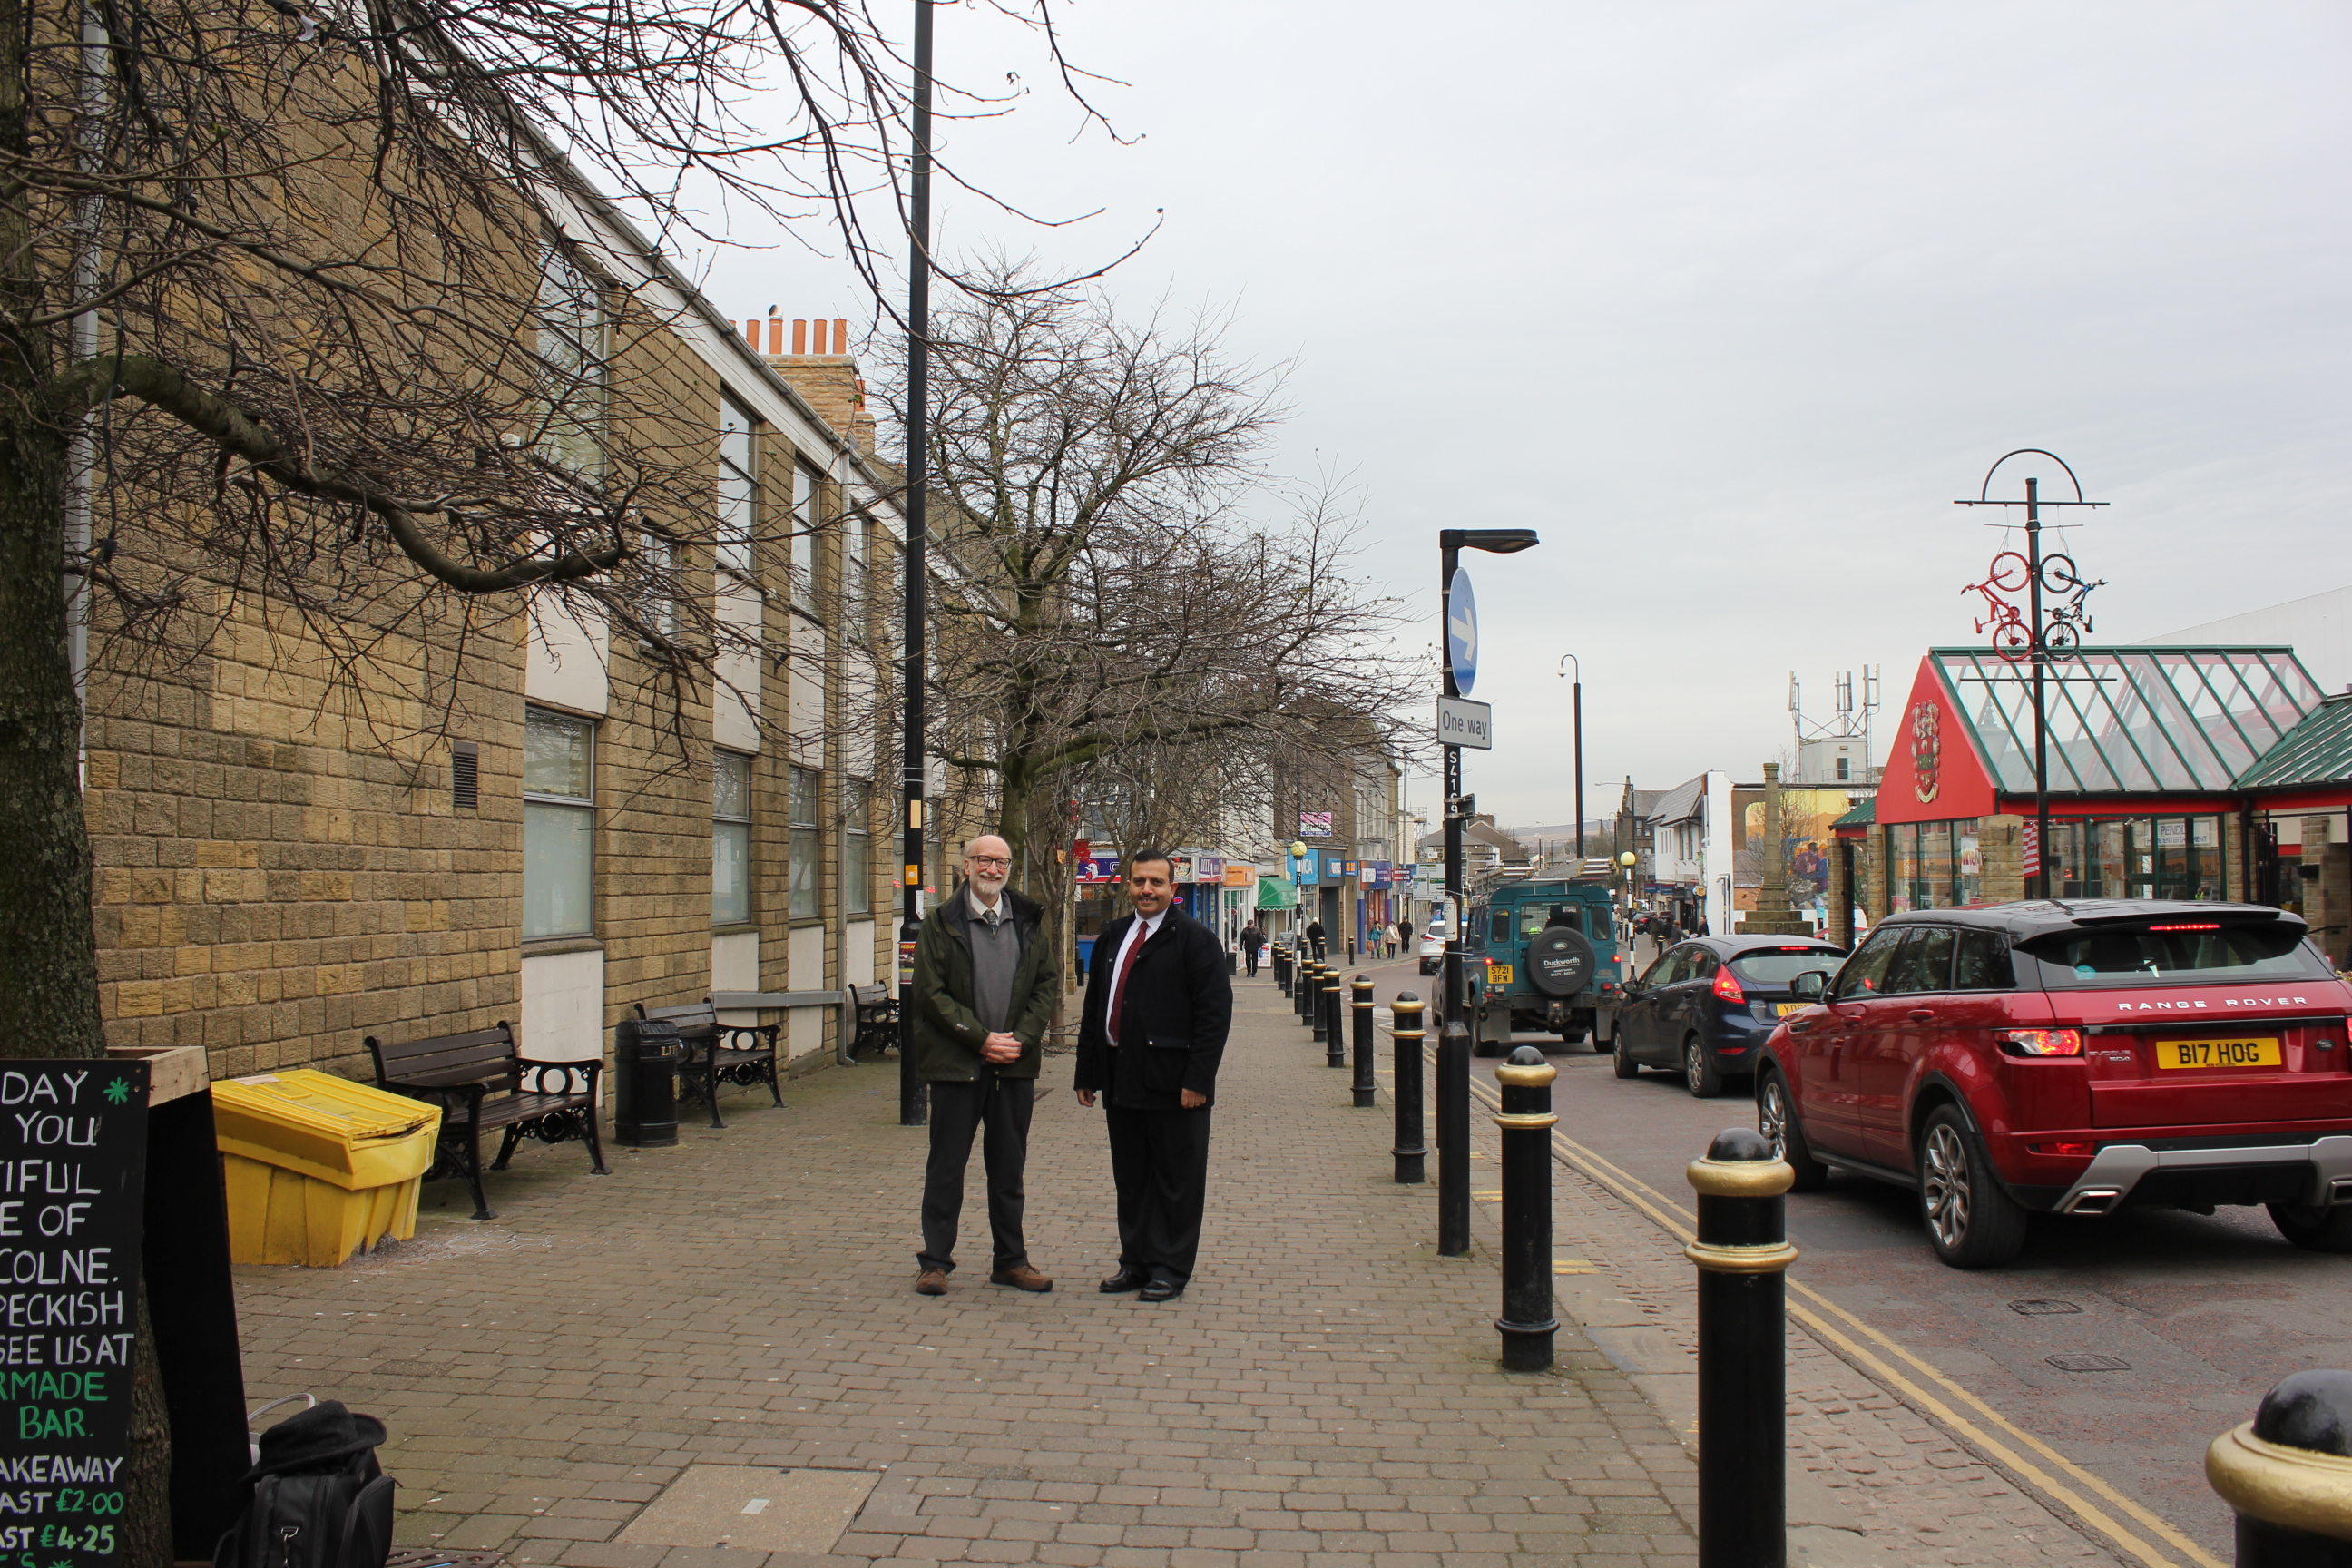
pixel 914 1106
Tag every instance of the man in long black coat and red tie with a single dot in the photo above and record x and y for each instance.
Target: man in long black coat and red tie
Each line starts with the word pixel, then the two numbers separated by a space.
pixel 1149 1043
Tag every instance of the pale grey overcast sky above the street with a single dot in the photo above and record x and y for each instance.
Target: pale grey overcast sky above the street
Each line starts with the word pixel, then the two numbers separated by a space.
pixel 1728 302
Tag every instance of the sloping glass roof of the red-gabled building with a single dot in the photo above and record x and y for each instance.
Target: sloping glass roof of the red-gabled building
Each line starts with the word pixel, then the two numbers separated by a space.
pixel 2132 721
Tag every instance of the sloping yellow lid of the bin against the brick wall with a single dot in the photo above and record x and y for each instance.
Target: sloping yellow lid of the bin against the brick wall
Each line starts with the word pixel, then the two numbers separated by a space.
pixel 319 1125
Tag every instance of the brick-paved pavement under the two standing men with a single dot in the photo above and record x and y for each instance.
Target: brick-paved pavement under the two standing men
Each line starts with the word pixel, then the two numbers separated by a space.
pixel 1325 1393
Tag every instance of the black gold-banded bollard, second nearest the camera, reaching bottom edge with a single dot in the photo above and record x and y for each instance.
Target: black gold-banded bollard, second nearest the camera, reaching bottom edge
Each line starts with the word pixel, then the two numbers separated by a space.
pixel 1742 1259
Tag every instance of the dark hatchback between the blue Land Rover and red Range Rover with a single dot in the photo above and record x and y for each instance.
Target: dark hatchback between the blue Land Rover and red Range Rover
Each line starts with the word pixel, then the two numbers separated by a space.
pixel 1706 1007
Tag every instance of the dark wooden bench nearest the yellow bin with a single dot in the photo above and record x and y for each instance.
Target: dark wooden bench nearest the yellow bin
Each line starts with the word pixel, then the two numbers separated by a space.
pixel 483 1083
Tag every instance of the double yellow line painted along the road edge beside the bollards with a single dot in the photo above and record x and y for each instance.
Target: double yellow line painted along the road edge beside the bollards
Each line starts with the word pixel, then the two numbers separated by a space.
pixel 1923 1386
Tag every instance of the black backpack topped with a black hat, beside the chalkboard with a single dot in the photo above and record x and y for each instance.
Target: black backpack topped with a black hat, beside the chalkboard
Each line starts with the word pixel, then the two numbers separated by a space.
pixel 319 1496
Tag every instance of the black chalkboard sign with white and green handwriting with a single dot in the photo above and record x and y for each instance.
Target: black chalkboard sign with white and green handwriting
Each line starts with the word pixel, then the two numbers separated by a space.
pixel 72 1191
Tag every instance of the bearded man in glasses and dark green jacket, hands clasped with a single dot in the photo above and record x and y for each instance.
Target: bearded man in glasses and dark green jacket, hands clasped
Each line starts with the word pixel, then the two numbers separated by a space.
pixel 984 998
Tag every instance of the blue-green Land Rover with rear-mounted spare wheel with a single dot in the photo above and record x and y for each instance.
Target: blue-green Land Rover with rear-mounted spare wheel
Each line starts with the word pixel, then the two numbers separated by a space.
pixel 1551 953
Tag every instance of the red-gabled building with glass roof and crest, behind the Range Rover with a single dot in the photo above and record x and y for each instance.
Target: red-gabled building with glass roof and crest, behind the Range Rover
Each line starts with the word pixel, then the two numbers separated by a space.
pixel 2146 760
